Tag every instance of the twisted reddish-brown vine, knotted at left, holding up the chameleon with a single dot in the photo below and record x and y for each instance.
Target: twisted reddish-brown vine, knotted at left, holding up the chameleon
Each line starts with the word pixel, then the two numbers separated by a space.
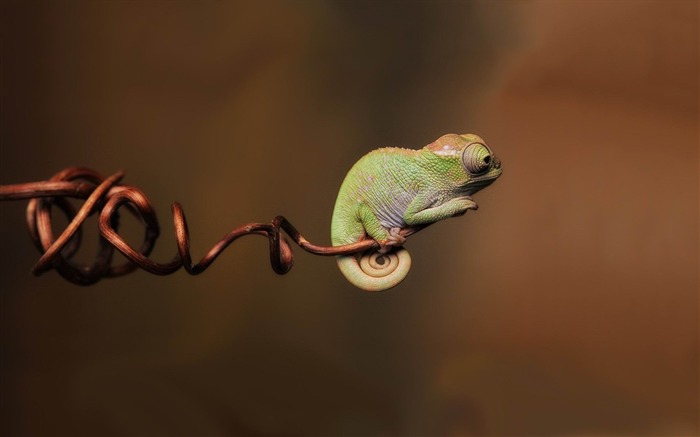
pixel 105 196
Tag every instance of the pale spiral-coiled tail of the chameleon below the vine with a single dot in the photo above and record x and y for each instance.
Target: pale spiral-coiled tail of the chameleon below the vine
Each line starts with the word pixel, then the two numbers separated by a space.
pixel 374 271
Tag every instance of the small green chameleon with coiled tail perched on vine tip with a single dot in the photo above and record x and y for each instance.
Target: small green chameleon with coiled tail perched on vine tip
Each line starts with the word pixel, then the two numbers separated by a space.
pixel 392 192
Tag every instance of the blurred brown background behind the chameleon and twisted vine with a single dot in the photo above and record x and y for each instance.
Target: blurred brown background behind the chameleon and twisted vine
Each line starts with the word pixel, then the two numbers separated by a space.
pixel 567 305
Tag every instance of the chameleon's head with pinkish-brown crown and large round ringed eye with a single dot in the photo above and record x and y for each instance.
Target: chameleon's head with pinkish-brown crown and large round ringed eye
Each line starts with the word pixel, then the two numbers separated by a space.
pixel 480 166
